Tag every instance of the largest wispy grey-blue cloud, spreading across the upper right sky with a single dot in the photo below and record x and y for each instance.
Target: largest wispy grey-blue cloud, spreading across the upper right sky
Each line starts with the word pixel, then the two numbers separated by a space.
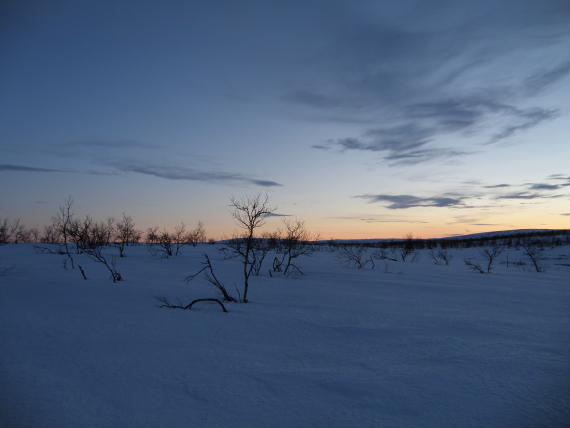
pixel 414 83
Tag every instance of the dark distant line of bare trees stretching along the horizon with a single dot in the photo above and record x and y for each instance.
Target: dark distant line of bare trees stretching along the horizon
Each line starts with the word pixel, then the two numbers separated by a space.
pixel 82 234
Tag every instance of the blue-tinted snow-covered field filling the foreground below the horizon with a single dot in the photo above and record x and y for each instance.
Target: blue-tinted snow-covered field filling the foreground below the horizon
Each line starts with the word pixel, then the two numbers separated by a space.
pixel 422 345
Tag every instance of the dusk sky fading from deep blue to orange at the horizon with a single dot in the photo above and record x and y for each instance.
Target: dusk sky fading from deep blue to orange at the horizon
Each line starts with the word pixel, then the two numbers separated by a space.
pixel 367 119
